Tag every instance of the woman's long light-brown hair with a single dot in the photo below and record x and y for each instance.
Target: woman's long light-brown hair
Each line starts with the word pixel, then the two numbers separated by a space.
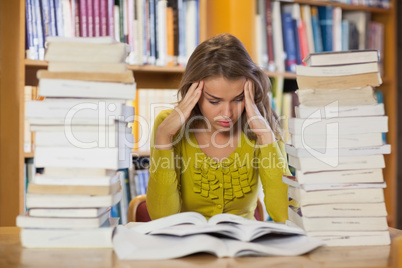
pixel 225 55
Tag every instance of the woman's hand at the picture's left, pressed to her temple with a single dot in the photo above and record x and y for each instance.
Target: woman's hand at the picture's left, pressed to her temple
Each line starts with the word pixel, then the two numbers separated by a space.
pixel 172 124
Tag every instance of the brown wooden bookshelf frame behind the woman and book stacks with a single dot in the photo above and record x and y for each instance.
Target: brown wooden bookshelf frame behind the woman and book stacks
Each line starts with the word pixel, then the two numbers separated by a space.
pixel 232 16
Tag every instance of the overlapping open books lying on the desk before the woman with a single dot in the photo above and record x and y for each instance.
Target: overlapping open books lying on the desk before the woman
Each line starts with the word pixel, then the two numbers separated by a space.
pixel 223 235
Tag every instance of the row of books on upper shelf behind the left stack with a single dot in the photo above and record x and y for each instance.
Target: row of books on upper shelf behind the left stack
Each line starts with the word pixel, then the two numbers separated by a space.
pixel 159 32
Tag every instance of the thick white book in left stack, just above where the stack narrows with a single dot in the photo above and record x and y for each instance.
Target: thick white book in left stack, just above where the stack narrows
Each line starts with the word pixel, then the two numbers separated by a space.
pixel 108 158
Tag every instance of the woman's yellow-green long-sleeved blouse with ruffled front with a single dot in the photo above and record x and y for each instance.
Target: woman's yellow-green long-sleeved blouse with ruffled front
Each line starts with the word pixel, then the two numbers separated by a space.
pixel 185 179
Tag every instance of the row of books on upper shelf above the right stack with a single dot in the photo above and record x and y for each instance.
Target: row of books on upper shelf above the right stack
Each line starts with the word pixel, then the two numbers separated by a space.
pixel 295 30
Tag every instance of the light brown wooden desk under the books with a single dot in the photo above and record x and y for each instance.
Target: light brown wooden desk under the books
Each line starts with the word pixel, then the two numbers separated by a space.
pixel 12 254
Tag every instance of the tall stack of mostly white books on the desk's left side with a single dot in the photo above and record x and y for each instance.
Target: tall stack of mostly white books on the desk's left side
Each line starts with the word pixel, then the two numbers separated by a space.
pixel 82 140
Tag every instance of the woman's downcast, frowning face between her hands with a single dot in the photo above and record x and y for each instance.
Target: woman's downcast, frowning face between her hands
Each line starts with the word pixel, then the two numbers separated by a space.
pixel 222 102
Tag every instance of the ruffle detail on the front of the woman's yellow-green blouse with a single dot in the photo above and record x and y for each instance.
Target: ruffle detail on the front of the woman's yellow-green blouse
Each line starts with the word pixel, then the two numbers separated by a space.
pixel 234 175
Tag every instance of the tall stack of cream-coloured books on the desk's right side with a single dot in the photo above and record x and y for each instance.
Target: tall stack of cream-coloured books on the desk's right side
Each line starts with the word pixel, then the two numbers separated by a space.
pixel 337 150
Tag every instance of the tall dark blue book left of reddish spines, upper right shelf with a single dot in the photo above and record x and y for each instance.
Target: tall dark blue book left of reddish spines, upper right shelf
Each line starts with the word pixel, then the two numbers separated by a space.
pixel 289 39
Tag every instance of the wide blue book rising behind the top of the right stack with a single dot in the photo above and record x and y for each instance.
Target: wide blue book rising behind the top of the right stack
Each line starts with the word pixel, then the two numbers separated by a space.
pixel 325 16
